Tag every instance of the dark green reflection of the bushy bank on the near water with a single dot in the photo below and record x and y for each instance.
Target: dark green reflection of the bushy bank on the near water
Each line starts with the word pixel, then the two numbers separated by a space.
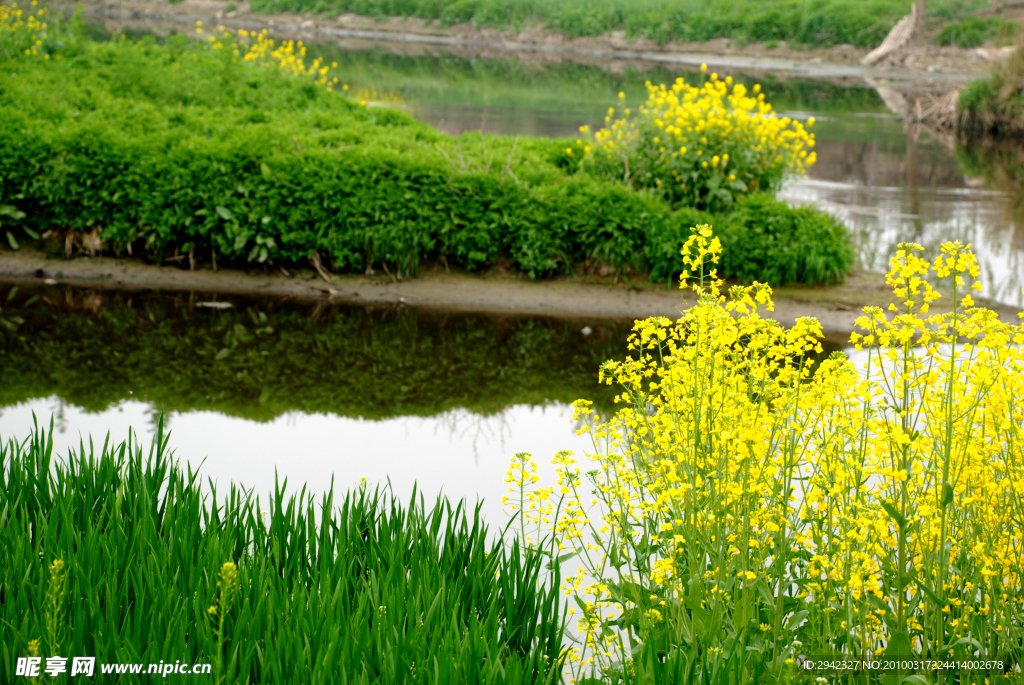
pixel 255 362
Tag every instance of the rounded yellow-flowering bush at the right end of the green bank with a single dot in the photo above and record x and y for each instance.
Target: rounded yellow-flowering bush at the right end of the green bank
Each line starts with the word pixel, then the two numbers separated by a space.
pixel 699 146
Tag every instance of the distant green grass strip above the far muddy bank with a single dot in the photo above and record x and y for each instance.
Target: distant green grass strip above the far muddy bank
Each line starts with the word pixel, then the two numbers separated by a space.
pixel 807 23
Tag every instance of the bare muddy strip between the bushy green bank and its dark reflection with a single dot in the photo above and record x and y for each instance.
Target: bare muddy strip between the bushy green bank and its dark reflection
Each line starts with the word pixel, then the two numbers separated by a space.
pixel 837 309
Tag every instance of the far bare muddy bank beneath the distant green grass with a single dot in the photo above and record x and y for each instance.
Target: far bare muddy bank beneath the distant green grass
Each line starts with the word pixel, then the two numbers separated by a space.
pixel 925 63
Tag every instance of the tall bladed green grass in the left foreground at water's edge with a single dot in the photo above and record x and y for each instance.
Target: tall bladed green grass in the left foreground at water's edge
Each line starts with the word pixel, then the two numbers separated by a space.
pixel 120 556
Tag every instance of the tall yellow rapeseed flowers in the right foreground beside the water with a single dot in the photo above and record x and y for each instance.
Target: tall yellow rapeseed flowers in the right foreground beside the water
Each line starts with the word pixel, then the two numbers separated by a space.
pixel 755 500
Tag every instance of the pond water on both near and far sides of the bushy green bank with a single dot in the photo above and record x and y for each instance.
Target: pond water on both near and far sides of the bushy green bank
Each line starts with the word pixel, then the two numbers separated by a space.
pixel 267 390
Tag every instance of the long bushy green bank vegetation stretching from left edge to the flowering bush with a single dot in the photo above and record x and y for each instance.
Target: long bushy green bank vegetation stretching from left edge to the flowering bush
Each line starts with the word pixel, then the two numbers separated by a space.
pixel 185 149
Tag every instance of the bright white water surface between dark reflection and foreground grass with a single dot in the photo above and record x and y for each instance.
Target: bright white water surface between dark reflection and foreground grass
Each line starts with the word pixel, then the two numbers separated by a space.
pixel 458 453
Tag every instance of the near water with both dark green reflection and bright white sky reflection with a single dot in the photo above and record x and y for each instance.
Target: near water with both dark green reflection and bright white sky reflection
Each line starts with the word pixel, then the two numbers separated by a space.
pixel 266 389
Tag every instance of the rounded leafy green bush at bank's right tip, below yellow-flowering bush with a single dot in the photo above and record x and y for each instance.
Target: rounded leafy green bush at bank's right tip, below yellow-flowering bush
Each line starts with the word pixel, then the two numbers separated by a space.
pixel 771 242
